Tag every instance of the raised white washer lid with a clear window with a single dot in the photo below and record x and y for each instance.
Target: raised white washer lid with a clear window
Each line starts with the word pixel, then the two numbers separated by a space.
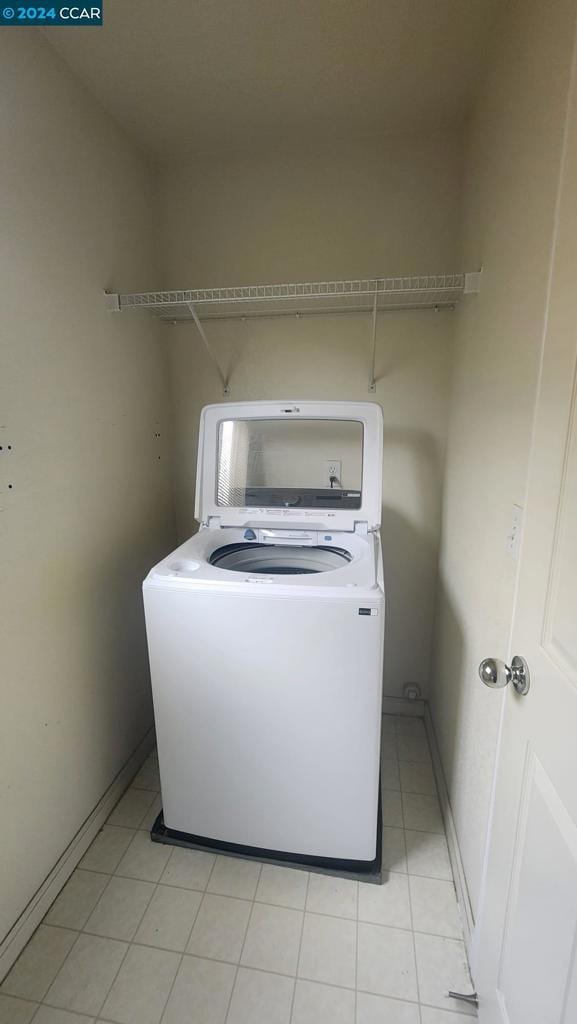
pixel 312 465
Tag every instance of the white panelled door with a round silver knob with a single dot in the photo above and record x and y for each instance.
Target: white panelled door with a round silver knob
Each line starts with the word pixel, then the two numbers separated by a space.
pixel 526 947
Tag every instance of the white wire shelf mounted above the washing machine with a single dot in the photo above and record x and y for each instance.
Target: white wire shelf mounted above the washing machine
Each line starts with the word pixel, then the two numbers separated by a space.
pixel 426 292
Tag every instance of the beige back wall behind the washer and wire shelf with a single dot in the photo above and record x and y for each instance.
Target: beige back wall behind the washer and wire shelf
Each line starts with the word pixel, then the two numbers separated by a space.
pixel 385 206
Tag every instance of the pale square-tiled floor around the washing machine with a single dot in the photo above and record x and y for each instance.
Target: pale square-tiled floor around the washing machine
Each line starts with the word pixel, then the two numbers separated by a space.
pixel 144 934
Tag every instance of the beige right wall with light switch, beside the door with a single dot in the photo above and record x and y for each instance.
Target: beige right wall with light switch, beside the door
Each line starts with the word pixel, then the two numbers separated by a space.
pixel 513 158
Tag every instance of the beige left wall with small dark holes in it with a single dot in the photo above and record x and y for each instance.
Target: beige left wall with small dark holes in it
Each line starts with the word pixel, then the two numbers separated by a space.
pixel 84 397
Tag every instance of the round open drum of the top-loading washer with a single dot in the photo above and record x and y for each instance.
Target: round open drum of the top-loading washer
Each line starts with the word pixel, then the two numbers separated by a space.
pixel 278 560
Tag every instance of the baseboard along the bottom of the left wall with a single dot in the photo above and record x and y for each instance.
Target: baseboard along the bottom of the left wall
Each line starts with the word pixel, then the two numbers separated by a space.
pixel 16 941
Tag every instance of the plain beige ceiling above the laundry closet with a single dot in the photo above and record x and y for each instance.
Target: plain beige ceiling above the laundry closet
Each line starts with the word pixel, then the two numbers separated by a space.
pixel 186 77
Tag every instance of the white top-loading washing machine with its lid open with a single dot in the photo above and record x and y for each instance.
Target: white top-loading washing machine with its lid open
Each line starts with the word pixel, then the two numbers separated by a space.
pixel 266 638
